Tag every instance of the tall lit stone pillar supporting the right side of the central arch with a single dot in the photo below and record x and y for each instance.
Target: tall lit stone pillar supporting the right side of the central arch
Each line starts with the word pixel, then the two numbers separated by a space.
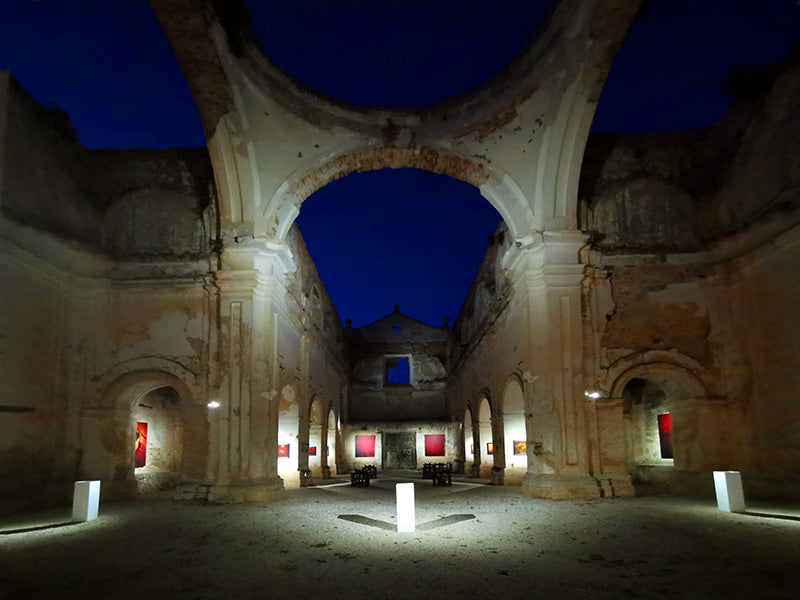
pixel 548 280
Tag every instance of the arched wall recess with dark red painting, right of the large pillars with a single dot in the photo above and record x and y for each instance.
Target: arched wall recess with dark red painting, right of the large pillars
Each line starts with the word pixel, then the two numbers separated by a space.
pixel 663 409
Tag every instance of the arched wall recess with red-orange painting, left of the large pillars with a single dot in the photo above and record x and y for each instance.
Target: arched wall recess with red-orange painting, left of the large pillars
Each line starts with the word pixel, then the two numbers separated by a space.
pixel 146 436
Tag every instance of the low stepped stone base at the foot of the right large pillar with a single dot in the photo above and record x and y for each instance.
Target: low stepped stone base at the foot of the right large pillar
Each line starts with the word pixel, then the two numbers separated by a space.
pixel 566 487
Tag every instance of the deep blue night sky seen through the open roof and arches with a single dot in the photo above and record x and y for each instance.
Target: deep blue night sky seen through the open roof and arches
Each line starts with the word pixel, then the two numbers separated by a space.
pixel 386 237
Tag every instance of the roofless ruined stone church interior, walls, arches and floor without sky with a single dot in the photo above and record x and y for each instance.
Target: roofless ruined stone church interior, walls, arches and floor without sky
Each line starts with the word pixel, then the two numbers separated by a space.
pixel 631 327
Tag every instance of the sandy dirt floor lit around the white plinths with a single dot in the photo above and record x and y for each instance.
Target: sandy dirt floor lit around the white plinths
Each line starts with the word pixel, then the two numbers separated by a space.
pixel 472 541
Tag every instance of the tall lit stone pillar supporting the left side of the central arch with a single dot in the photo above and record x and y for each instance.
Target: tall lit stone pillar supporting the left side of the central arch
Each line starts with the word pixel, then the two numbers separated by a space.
pixel 242 464
